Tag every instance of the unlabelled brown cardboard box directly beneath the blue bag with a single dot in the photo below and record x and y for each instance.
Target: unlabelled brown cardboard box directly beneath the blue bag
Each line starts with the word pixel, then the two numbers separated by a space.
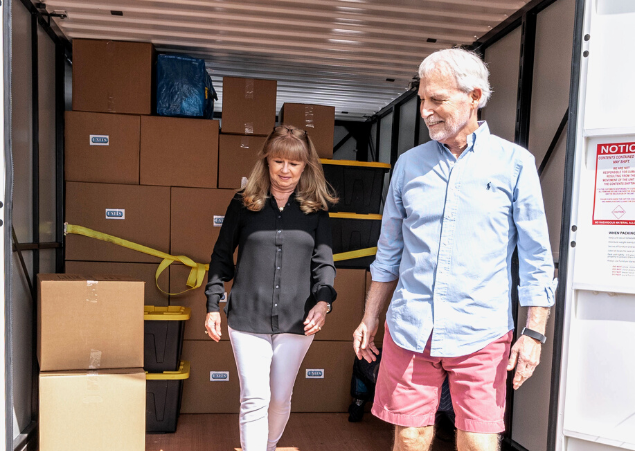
pixel 179 152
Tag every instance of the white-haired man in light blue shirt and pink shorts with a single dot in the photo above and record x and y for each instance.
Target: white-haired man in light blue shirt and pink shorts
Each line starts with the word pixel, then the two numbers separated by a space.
pixel 456 209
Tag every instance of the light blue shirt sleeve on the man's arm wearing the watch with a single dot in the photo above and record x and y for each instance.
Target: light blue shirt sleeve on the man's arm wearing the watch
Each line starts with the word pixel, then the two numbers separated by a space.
pixel 537 284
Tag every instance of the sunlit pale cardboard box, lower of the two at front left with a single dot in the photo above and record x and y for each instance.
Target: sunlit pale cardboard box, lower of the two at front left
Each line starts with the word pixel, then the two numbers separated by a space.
pixel 94 410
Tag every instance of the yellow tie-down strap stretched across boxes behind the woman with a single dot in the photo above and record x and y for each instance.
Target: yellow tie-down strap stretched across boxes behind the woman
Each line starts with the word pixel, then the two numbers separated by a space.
pixel 197 271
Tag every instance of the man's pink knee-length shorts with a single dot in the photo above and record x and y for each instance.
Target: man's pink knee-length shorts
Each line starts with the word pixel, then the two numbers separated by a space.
pixel 409 386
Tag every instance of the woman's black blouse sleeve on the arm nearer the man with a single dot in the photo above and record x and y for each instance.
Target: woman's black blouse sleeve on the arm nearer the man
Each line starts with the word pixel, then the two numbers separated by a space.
pixel 322 266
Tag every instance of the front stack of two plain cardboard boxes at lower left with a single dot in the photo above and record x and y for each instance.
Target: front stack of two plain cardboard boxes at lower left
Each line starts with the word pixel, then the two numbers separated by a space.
pixel 90 350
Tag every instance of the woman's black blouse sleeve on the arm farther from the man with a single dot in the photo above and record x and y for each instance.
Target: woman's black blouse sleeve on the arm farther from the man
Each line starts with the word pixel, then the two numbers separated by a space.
pixel 221 267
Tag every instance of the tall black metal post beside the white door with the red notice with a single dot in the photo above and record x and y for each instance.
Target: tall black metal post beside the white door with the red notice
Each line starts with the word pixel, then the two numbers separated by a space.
pixel 565 227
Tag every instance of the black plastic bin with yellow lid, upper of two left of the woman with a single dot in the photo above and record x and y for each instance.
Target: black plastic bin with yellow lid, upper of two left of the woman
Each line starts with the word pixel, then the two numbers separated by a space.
pixel 163 330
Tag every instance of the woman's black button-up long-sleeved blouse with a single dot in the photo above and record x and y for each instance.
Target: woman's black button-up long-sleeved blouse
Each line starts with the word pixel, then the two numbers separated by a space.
pixel 284 267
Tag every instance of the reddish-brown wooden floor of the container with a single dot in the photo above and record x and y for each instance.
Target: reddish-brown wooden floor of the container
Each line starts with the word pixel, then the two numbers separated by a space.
pixel 304 432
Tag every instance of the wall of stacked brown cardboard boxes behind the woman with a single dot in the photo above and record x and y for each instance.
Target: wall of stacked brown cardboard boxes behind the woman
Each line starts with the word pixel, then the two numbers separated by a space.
pixel 166 183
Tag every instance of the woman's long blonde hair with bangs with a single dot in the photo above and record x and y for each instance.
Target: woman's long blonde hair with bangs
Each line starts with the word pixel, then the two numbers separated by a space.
pixel 288 142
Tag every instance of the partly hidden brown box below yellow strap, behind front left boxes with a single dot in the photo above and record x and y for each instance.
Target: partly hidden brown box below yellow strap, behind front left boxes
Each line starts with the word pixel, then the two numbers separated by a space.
pixel 139 271
